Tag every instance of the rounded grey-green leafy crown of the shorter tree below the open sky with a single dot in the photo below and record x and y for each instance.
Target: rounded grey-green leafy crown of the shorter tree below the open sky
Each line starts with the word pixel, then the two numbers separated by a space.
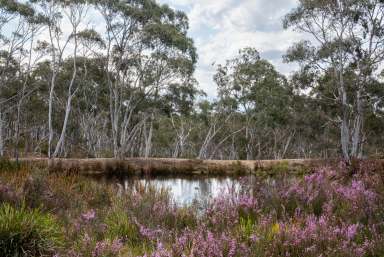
pixel 254 87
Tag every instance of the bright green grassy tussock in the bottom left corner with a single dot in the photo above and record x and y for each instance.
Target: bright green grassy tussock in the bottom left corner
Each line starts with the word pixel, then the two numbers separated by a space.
pixel 27 233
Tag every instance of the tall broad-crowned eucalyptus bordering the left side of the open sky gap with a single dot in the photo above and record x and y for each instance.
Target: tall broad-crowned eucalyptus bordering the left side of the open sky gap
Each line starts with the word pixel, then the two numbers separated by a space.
pixel 147 48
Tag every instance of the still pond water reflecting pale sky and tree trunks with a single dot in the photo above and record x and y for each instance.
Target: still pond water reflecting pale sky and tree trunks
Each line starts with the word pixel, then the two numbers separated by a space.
pixel 185 190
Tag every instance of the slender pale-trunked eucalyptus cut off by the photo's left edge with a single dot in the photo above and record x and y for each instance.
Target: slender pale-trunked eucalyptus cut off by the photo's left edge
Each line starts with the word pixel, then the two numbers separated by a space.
pixel 18 25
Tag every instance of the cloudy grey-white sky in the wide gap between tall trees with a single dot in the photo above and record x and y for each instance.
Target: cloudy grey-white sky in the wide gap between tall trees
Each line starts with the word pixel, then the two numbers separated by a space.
pixel 221 27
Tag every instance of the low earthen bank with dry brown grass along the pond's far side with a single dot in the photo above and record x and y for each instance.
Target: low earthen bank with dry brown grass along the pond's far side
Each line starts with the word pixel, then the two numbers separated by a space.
pixel 158 166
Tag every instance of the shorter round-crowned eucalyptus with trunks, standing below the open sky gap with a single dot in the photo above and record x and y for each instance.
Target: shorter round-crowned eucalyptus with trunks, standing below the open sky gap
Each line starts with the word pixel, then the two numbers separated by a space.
pixel 252 87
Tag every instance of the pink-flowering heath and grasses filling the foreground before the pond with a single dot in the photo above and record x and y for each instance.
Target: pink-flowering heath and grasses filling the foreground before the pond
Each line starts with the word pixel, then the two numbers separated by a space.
pixel 335 211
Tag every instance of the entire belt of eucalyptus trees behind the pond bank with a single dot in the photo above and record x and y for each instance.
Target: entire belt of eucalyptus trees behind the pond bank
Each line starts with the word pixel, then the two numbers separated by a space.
pixel 116 79
